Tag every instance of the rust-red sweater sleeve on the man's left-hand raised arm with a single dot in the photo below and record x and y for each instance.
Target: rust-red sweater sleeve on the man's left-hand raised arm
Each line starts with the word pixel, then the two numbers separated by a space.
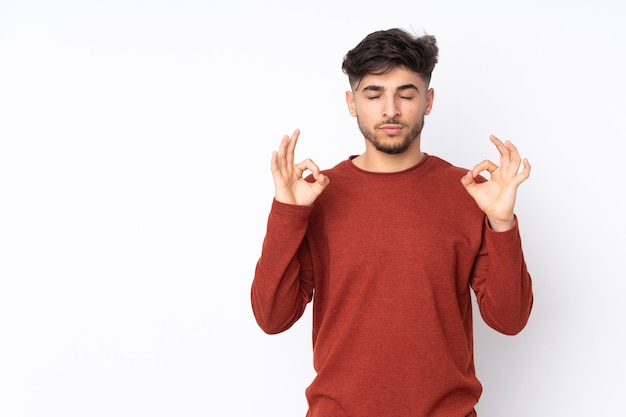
pixel 283 281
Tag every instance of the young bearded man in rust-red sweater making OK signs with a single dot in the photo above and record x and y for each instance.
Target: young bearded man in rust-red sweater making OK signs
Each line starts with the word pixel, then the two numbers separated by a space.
pixel 388 244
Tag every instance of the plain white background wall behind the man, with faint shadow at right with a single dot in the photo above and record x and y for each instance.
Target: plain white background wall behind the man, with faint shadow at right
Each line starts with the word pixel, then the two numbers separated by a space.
pixel 135 139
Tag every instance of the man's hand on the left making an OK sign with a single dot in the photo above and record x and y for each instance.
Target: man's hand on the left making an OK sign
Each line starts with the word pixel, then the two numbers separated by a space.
pixel 290 186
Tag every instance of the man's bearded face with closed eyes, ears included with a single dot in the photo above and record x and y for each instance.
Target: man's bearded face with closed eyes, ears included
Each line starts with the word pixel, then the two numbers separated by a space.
pixel 390 108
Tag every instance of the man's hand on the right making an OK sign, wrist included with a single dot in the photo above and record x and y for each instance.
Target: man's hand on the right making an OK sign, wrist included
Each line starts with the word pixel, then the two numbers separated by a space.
pixel 496 196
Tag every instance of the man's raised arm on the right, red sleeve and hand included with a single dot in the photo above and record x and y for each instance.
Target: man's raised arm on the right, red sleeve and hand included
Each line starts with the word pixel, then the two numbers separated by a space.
pixel 500 278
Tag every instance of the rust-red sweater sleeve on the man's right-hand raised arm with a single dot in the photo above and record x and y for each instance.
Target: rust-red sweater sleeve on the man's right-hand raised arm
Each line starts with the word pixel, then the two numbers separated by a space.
pixel 501 281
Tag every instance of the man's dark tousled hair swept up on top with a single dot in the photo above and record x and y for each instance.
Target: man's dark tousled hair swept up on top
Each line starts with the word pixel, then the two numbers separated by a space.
pixel 381 51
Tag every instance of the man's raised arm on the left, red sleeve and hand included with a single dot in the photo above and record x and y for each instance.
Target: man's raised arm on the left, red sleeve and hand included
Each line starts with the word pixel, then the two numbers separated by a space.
pixel 283 281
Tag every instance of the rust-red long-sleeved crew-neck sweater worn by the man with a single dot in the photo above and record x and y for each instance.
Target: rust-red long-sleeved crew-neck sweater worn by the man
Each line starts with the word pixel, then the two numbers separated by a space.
pixel 391 258
